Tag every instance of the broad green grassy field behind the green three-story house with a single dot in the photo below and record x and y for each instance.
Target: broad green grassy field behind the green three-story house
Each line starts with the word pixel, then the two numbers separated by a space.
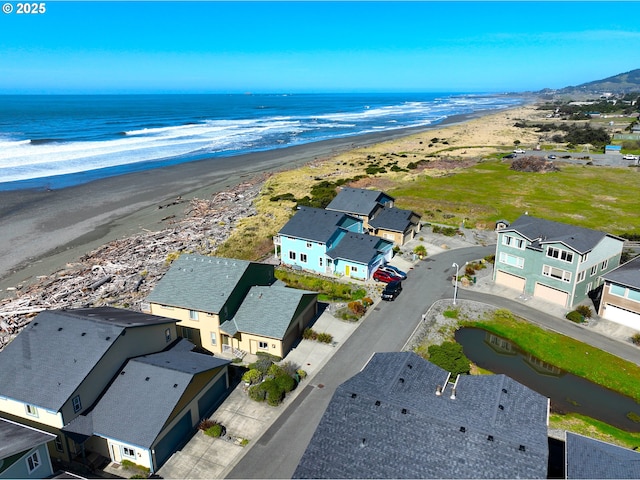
pixel 594 197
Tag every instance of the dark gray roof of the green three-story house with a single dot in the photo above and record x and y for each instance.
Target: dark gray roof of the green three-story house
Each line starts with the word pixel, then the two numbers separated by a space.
pixel 580 239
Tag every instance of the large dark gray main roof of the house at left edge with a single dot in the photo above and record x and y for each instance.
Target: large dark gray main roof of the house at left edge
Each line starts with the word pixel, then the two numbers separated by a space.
pixel 52 355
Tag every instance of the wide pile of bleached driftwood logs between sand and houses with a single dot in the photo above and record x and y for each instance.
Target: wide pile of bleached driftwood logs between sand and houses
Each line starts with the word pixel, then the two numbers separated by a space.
pixel 123 272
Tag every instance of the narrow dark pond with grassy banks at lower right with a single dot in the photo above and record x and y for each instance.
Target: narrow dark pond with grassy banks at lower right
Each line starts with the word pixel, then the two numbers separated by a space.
pixel 568 393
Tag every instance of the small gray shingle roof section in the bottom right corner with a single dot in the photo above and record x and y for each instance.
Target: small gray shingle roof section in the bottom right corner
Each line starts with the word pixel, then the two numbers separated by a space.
pixel 589 458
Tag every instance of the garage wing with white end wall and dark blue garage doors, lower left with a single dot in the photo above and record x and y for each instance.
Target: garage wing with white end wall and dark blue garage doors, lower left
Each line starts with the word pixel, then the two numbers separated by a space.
pixel 154 403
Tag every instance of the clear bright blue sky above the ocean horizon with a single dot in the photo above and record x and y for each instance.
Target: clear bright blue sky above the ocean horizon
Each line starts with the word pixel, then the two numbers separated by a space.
pixel 260 47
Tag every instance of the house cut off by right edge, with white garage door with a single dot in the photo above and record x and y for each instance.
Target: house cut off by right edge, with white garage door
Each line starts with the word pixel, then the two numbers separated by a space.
pixel 620 299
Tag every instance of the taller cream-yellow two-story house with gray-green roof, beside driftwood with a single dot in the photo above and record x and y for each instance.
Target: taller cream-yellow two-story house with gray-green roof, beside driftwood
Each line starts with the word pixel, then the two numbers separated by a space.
pixel 202 293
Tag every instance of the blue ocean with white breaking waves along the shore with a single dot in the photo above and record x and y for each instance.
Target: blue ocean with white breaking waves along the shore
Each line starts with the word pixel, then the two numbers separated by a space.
pixel 56 141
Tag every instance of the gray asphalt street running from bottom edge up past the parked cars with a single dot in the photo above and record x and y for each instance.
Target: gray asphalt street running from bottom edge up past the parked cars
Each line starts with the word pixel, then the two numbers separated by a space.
pixel 277 453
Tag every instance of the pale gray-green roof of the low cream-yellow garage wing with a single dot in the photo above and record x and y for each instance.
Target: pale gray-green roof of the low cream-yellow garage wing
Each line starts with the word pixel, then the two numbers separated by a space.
pixel 266 311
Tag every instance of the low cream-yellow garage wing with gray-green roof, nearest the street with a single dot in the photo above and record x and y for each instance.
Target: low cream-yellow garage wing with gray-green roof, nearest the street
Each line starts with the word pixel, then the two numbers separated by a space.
pixel 271 319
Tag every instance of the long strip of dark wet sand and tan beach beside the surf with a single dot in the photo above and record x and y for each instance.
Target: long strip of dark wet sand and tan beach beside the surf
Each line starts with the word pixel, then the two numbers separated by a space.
pixel 41 231
